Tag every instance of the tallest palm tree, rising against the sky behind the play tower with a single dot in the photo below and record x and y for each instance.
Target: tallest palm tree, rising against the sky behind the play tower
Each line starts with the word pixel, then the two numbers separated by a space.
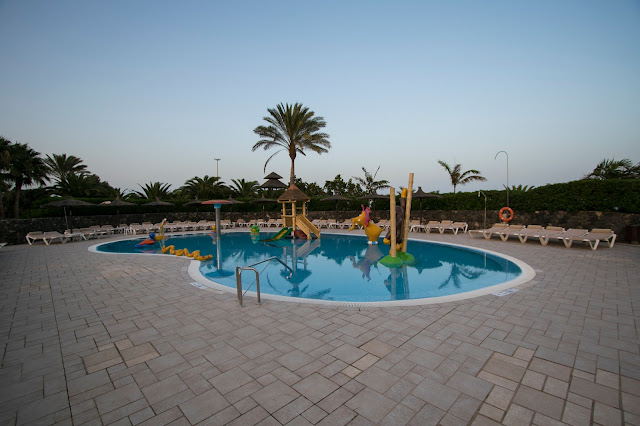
pixel 292 128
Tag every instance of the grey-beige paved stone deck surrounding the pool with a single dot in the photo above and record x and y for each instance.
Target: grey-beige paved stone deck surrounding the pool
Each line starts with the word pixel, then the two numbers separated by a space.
pixel 97 339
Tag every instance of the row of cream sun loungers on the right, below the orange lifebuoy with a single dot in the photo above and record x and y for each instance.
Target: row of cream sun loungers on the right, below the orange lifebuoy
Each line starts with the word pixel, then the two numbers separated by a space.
pixel 550 233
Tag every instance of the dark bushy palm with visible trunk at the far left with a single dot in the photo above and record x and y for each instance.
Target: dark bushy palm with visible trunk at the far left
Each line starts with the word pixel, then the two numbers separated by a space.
pixel 26 168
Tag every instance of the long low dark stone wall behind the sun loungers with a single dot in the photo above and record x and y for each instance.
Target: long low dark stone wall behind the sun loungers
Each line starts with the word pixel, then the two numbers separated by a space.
pixel 13 231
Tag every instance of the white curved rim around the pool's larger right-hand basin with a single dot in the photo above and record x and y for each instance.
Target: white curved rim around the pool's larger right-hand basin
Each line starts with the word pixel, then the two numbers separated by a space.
pixel 528 273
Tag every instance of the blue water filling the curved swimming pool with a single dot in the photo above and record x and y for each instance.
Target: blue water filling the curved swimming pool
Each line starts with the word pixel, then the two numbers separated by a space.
pixel 339 267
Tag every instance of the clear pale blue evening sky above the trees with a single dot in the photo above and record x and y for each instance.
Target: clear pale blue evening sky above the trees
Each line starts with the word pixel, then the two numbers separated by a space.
pixel 152 90
